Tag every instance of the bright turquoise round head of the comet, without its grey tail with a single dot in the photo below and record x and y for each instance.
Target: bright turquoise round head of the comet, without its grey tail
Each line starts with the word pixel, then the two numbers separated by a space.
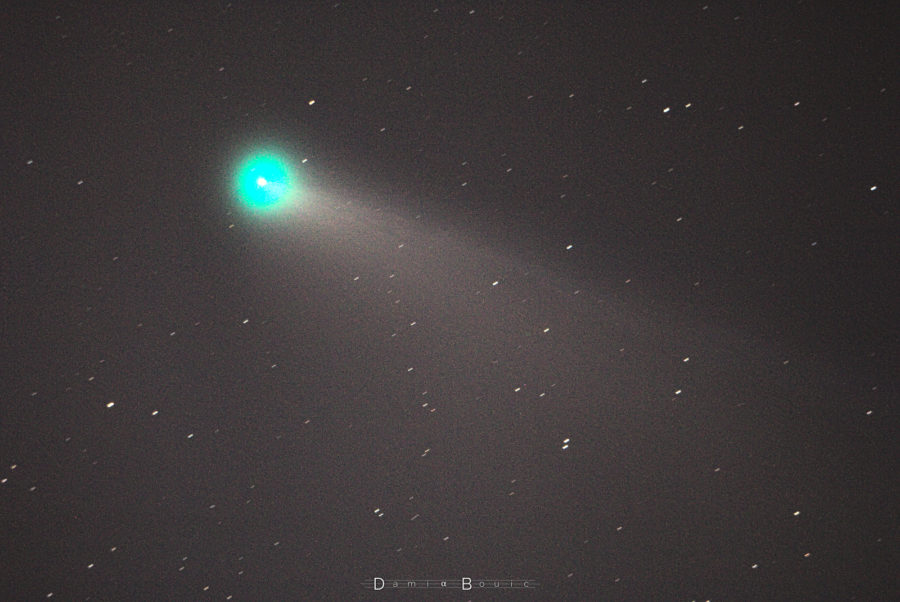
pixel 265 183
